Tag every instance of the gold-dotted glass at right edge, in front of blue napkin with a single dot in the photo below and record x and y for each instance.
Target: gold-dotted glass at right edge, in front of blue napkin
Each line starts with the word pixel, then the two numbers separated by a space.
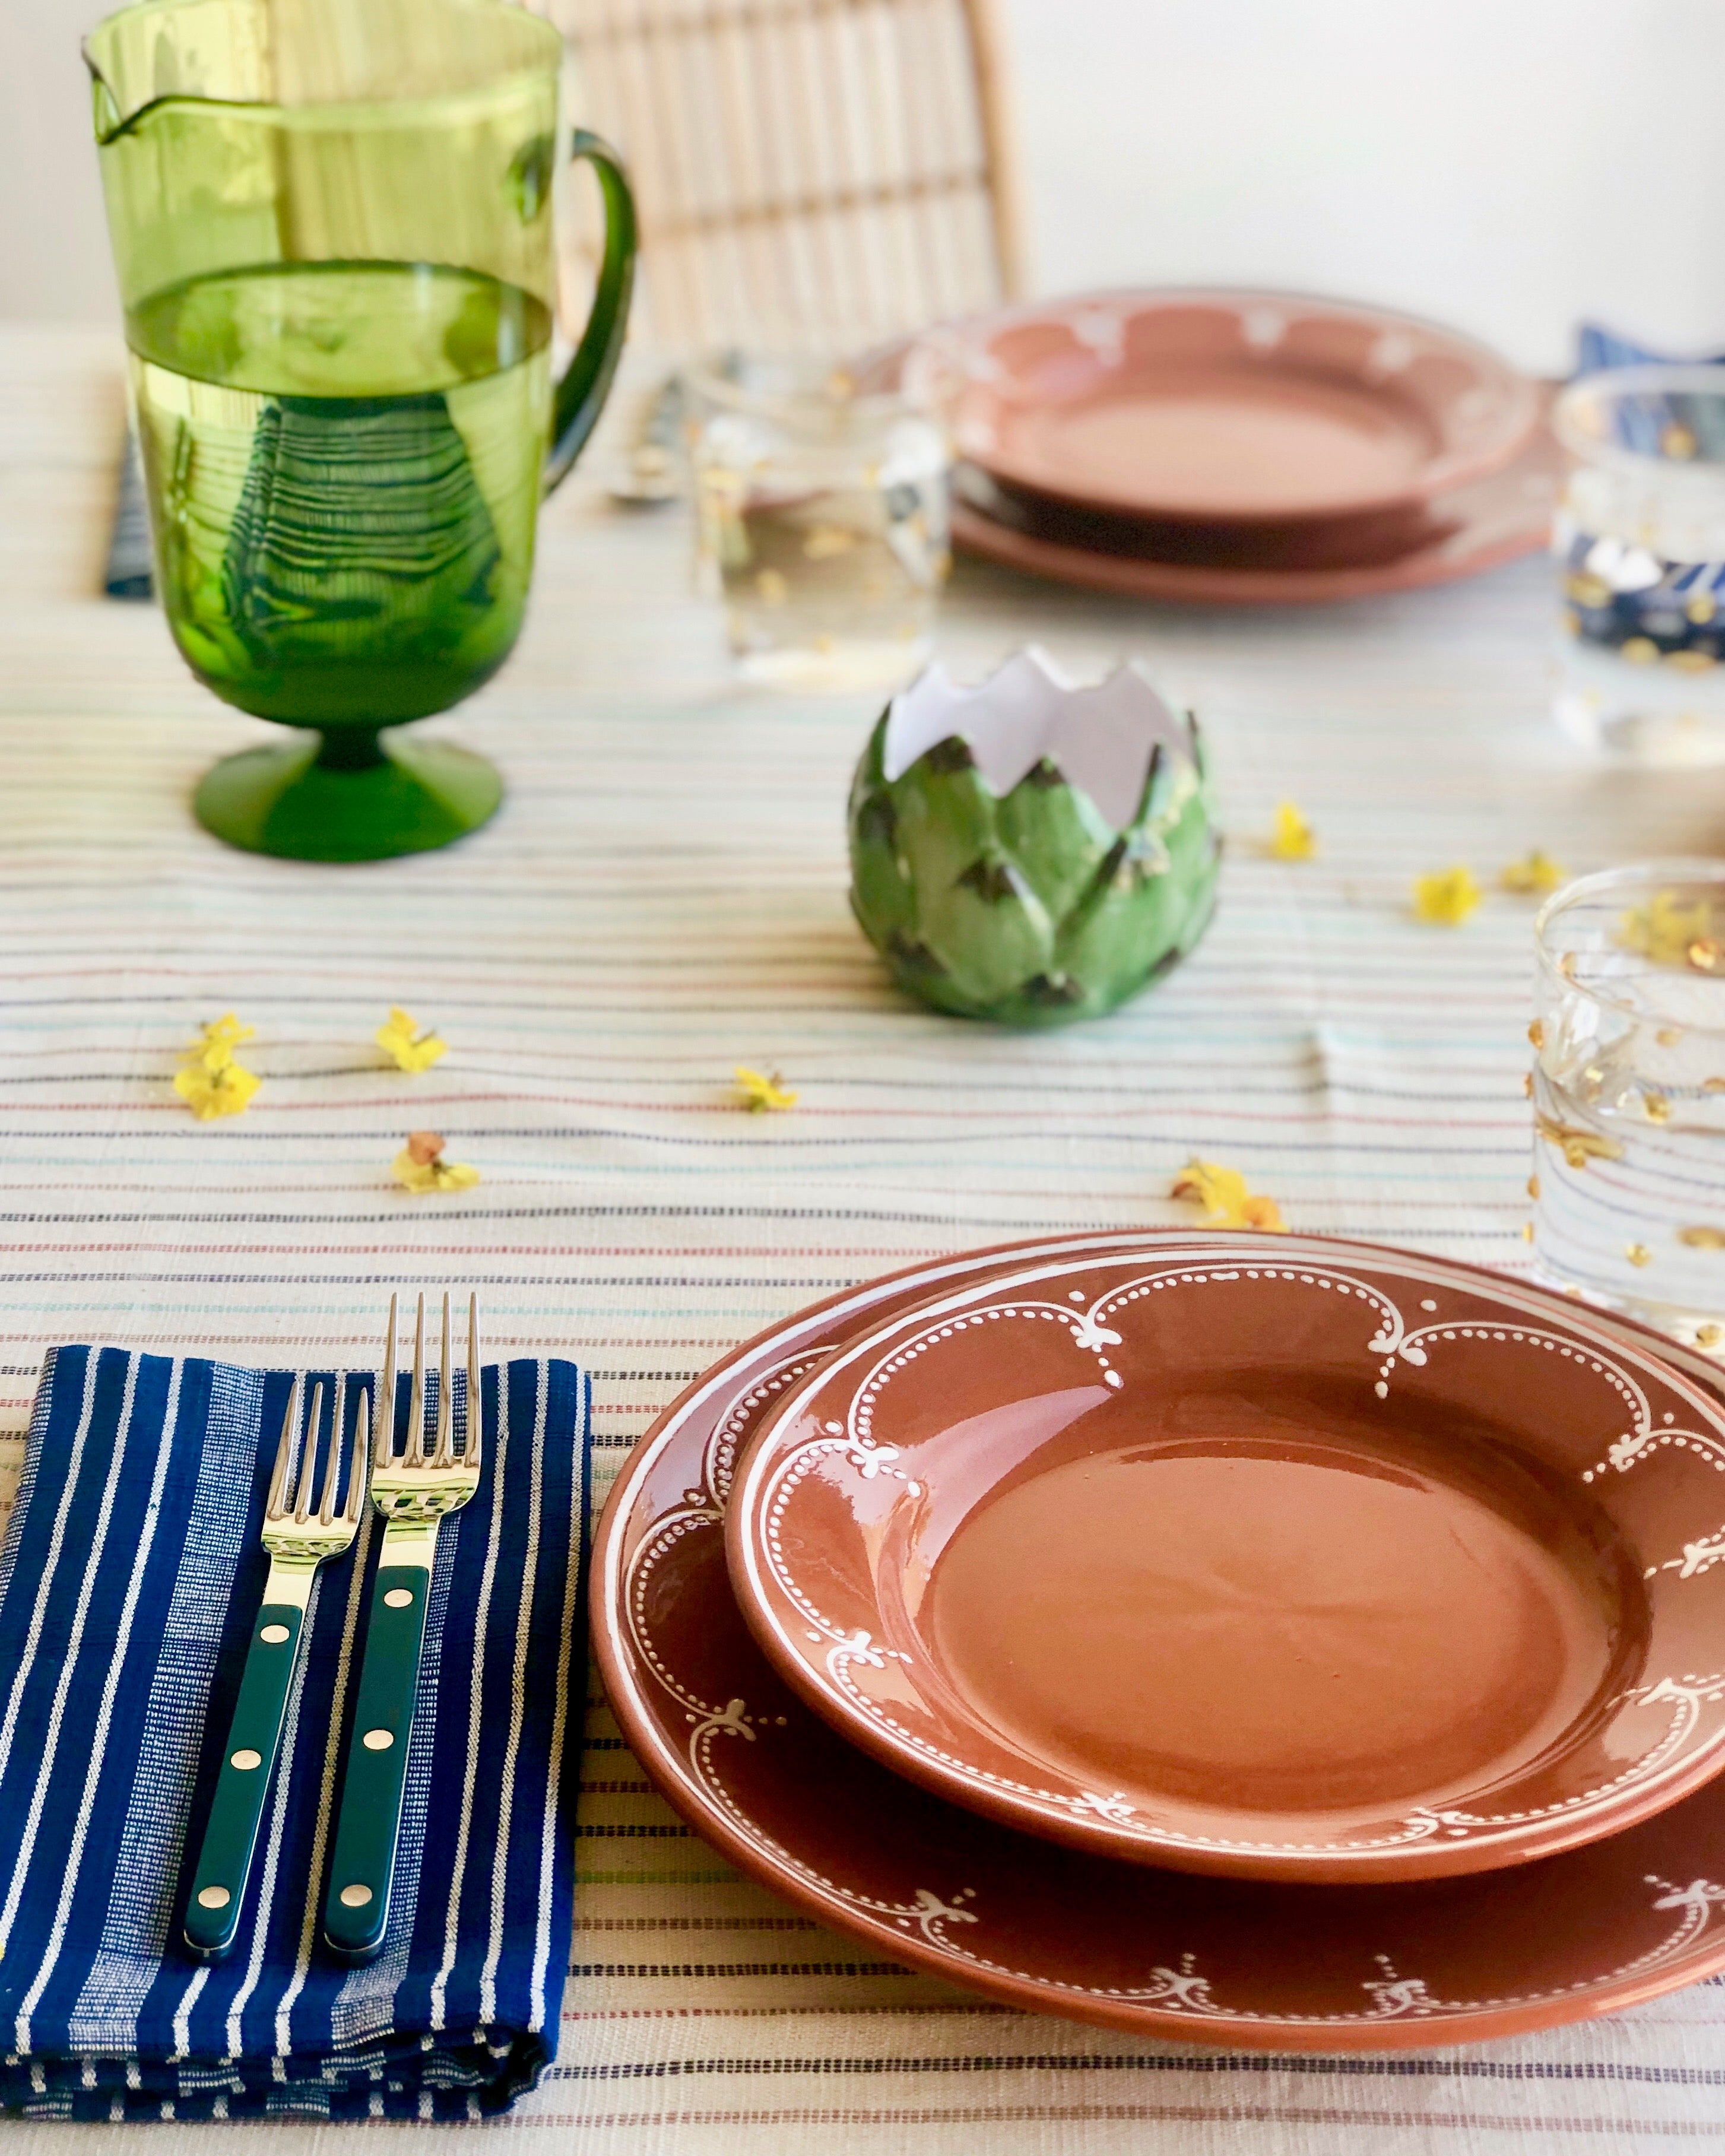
pixel 1642 564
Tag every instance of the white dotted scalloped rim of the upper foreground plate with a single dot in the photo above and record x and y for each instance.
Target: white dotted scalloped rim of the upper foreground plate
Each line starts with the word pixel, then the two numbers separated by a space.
pixel 833 1418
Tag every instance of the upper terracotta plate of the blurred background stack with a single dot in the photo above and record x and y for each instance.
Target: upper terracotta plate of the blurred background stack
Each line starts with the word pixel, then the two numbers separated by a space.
pixel 1228 406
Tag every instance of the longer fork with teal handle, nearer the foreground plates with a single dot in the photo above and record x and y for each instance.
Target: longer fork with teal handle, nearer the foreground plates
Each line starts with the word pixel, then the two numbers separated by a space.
pixel 415 1491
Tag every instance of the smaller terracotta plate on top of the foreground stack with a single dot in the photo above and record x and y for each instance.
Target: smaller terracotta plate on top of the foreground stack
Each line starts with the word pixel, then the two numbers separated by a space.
pixel 1250 1564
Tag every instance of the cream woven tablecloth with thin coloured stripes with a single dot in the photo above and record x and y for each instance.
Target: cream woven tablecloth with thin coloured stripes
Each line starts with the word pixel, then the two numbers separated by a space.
pixel 661 900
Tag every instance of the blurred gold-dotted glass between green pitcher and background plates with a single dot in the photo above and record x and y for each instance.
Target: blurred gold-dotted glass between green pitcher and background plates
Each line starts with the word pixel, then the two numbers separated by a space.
pixel 823 523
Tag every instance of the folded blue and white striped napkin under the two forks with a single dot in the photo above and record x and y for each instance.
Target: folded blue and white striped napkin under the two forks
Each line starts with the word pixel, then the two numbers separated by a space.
pixel 128 1588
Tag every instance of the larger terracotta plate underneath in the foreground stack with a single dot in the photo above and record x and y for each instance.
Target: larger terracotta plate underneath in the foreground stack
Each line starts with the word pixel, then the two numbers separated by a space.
pixel 1045 1926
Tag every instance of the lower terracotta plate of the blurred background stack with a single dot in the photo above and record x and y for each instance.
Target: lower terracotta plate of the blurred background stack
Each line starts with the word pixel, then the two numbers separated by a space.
pixel 1459 534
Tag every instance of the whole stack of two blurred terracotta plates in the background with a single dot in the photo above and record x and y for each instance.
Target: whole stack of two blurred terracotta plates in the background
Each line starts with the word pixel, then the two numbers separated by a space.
pixel 1239 447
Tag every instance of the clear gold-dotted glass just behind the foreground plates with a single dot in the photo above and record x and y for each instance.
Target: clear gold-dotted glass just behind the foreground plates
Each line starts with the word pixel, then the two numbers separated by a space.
pixel 1629 1094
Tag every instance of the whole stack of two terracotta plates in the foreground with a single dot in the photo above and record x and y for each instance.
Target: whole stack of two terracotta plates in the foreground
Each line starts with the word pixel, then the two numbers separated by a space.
pixel 1269 1640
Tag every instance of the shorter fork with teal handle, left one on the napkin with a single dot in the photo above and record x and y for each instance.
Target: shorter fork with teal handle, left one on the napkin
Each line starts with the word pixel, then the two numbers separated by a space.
pixel 301 1534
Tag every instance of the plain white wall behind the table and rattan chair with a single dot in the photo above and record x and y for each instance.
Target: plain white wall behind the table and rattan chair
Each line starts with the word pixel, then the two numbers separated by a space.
pixel 1500 163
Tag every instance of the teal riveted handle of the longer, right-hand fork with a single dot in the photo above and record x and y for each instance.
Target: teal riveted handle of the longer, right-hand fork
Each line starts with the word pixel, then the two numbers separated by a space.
pixel 357 1903
